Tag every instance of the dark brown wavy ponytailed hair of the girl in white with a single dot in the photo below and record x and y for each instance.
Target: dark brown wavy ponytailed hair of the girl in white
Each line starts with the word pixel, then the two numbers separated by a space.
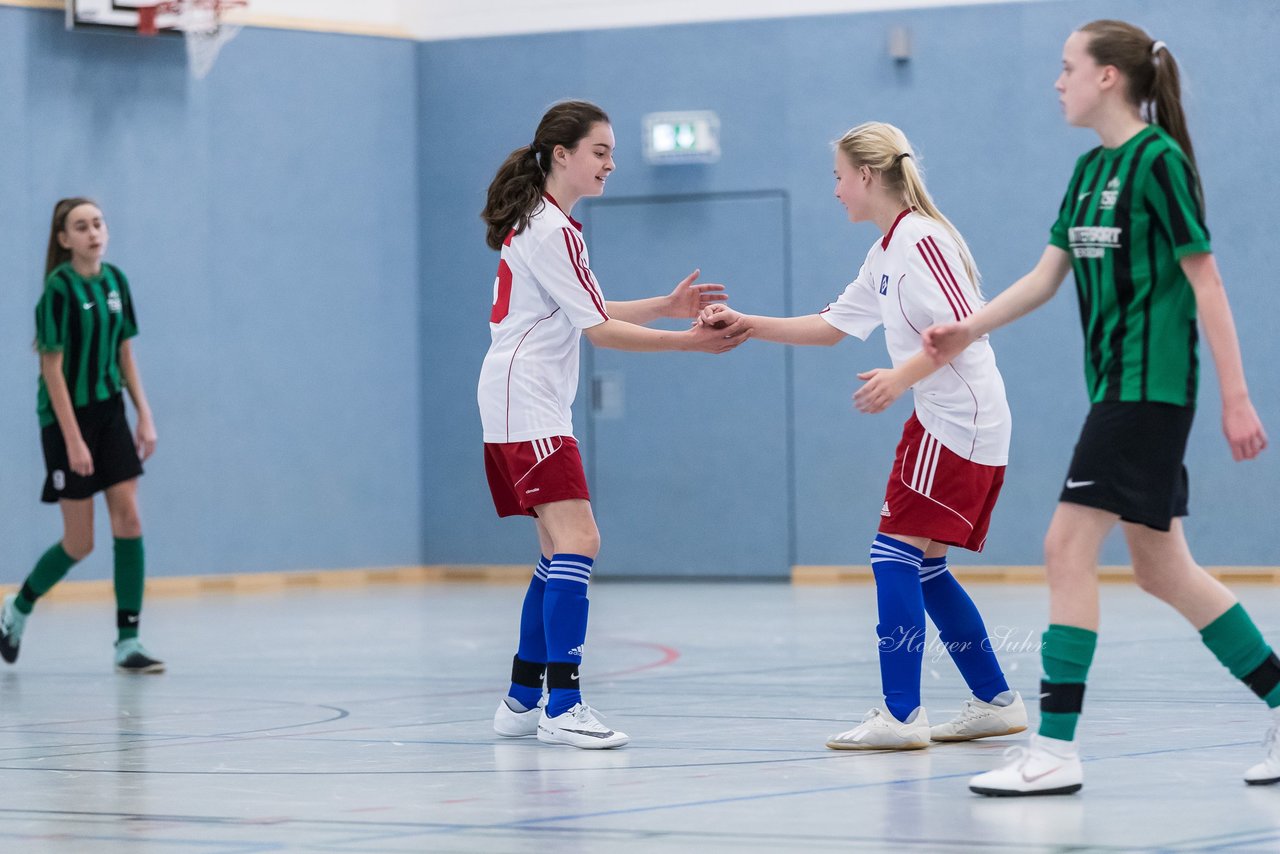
pixel 516 191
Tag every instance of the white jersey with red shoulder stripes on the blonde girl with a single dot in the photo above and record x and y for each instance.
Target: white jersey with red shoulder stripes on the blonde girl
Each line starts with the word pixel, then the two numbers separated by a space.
pixel 913 278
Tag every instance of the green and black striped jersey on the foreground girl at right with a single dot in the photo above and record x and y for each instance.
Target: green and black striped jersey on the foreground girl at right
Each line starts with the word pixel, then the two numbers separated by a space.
pixel 1131 214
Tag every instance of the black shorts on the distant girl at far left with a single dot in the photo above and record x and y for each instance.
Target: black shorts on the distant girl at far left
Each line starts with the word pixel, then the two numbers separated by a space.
pixel 111 444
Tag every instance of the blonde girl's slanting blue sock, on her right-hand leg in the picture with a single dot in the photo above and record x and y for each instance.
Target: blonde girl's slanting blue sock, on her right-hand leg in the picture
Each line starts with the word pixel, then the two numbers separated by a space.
pixel 962 629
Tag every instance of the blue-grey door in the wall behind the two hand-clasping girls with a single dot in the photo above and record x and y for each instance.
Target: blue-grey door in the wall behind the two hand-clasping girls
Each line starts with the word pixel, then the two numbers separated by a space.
pixel 688 455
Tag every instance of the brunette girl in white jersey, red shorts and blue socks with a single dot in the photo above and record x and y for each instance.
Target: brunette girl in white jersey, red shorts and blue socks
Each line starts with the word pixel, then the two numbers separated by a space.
pixel 545 299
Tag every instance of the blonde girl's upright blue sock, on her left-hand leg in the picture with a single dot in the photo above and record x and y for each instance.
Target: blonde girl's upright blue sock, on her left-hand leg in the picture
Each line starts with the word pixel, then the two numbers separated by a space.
pixel 897 567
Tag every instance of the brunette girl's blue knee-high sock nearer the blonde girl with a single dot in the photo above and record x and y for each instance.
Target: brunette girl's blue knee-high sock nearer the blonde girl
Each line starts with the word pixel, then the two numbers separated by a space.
pixel 565 616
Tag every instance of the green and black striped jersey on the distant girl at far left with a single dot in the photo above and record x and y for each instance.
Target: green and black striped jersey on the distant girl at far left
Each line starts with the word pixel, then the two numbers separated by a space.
pixel 85 321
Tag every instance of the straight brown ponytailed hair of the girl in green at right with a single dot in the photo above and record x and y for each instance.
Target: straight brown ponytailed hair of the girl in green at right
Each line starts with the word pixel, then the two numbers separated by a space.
pixel 1155 85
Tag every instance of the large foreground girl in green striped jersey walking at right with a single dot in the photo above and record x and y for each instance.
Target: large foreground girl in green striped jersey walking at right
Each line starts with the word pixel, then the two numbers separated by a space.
pixel 1132 231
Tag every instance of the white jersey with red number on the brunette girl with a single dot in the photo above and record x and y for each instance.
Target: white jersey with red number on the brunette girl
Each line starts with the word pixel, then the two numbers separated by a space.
pixel 545 296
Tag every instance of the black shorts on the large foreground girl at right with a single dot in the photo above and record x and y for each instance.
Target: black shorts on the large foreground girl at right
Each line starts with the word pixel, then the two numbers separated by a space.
pixel 1130 462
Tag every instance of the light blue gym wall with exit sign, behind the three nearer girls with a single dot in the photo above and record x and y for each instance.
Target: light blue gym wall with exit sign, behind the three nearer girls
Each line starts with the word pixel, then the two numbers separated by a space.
pixel 977 101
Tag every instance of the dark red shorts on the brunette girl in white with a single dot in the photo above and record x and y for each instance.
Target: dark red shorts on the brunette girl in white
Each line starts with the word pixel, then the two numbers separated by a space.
pixel 527 474
